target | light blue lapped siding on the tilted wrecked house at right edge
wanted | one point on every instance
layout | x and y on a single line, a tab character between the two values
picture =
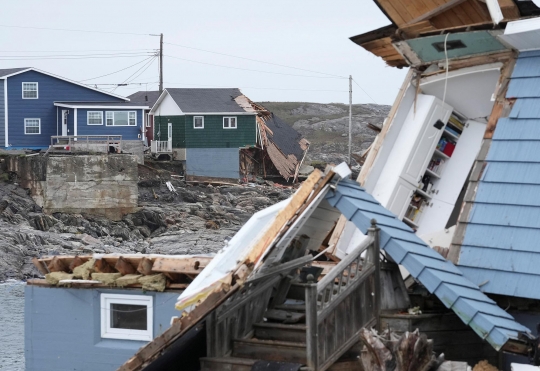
500	244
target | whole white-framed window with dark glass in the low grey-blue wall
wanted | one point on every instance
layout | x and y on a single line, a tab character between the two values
127	317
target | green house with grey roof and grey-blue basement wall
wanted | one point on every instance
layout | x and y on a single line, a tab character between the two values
206	128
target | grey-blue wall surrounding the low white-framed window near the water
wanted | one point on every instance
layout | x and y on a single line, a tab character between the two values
62	329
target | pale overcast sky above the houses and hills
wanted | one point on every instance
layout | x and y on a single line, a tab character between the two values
308	35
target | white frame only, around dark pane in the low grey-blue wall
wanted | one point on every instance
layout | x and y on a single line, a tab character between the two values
109	332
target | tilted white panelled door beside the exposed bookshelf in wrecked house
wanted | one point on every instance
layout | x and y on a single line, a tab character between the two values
426	142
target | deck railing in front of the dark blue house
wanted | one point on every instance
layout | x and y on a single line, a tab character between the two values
98	143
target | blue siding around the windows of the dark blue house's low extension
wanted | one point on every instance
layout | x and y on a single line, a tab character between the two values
127	132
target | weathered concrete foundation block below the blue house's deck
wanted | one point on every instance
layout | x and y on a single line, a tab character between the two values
103	185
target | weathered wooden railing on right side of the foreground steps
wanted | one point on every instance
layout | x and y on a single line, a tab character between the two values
340	304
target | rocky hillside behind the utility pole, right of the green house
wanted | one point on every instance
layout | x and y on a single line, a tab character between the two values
326	126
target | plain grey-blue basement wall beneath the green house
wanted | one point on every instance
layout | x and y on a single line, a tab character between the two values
213	162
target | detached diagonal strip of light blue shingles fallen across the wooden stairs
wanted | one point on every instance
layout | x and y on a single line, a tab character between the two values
438	275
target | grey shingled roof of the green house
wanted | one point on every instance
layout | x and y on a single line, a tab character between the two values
213	100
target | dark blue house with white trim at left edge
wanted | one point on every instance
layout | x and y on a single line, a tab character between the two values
35	105
